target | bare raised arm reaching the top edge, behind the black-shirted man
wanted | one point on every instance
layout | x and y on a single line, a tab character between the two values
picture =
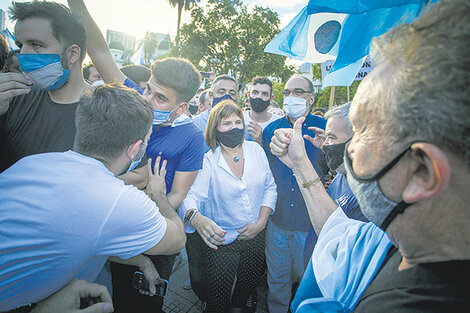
97	48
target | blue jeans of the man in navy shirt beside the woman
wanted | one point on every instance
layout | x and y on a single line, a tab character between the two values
285	260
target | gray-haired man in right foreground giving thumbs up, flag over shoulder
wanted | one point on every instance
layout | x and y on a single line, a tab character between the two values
408	164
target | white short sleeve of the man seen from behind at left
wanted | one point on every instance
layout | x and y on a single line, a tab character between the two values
134	226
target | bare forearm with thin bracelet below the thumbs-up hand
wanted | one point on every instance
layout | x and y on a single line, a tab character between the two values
318	201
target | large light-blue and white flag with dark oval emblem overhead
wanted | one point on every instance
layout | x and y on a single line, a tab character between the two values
341	30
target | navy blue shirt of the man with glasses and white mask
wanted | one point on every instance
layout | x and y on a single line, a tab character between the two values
291	212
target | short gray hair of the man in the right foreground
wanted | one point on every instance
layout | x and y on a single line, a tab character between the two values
426	96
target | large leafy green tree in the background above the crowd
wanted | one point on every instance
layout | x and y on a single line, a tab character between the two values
225	35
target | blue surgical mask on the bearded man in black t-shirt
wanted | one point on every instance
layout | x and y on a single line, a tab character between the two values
45	71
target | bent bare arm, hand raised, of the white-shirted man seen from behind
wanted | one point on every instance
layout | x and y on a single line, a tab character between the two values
175	238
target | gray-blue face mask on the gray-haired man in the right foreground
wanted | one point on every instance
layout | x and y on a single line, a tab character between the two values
373	203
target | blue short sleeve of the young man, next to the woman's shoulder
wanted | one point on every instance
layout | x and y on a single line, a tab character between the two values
193	155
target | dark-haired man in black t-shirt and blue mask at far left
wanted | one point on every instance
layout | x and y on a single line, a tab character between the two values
37	107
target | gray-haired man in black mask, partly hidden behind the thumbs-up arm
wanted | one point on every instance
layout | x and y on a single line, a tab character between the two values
332	141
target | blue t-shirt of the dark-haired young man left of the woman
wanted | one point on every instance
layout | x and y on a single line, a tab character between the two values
182	146
